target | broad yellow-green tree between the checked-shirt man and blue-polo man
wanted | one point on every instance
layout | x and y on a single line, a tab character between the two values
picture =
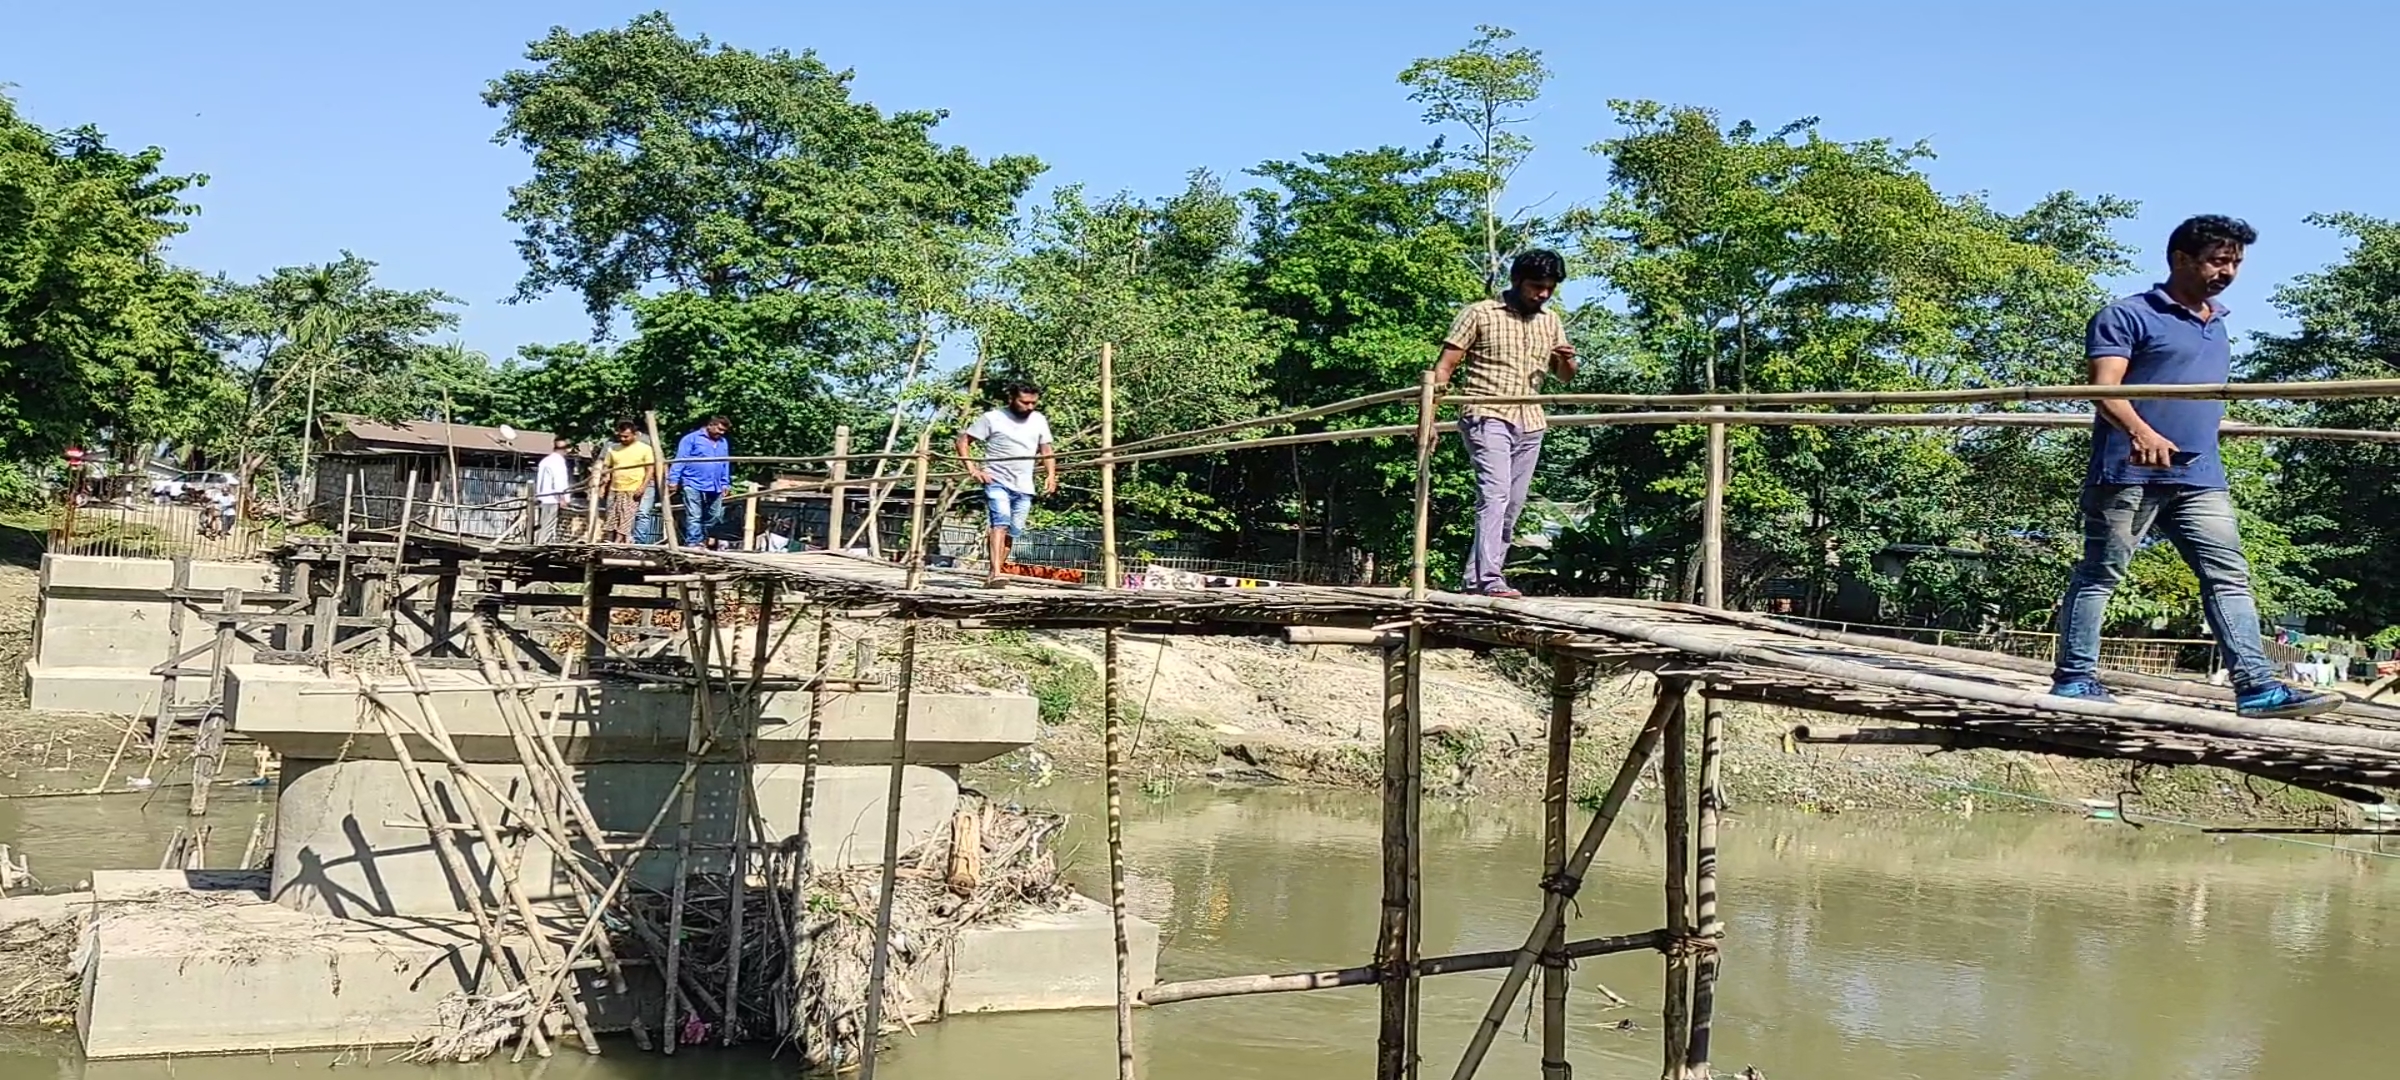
1784	263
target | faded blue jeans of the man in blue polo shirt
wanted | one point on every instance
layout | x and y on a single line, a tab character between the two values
2200	522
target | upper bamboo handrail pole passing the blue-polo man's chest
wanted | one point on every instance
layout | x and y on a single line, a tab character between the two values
1969	397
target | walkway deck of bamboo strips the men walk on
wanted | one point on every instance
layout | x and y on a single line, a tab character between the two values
1981	700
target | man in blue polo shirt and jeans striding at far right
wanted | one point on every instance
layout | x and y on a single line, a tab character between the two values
2156	464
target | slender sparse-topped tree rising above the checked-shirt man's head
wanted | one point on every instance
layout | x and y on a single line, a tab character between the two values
1484	90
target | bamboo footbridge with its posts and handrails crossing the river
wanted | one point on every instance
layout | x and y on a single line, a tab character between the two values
1700	656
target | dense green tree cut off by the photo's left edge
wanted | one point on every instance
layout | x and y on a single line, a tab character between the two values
100	335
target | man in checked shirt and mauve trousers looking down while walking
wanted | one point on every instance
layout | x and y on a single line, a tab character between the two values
1508	347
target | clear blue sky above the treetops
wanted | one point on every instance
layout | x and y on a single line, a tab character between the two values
359	126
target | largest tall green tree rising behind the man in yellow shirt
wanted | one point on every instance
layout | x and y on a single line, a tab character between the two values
786	253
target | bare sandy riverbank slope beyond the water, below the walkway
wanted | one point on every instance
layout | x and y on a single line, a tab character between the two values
1266	712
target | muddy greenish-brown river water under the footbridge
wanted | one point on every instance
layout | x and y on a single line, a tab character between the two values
1991	947
